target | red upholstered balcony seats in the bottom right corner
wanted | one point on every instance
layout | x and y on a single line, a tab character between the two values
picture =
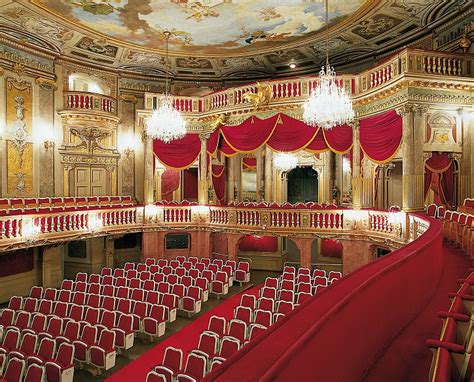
452	351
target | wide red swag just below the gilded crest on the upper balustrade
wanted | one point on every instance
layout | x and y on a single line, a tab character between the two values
252	134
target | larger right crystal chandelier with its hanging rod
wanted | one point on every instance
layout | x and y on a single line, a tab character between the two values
328	105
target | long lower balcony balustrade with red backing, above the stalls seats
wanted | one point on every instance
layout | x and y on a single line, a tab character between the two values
38	228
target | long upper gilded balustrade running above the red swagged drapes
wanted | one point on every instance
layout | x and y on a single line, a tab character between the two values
295	90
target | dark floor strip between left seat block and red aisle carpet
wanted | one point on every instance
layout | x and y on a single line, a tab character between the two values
142	345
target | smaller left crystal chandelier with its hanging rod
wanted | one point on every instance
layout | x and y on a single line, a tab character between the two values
166	123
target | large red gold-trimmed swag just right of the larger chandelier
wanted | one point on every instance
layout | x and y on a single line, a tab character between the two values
381	136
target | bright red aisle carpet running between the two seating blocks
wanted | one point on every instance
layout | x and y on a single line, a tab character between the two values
186	339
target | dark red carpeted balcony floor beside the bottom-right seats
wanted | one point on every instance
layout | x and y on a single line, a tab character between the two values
407	358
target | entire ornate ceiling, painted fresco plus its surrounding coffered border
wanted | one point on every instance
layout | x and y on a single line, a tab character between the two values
224	40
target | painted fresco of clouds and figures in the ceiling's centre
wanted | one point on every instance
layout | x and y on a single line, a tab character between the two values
205	26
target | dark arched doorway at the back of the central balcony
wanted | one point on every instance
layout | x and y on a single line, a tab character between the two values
303	185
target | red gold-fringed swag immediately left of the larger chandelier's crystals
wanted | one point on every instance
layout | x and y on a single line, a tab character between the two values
290	134
